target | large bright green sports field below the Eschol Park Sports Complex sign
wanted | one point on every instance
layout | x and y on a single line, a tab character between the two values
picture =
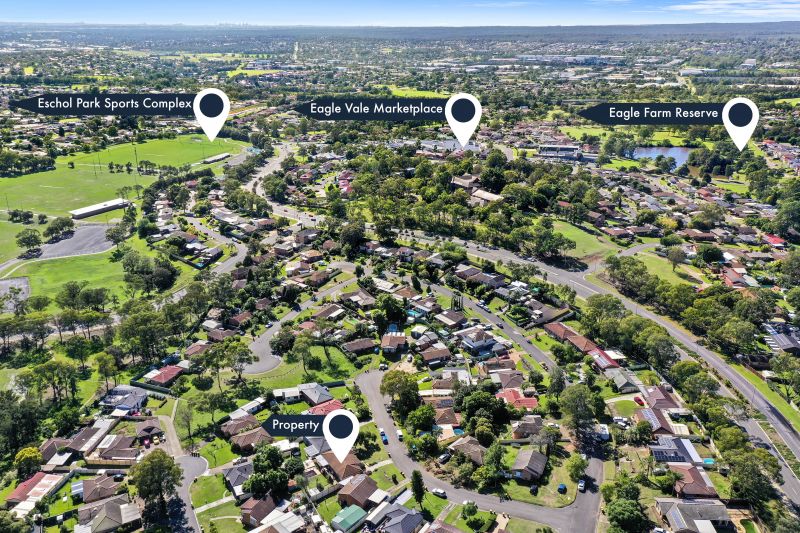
58	191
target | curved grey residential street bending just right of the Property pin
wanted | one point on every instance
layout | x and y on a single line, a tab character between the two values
581	515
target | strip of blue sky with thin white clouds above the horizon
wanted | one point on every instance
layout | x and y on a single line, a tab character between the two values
401	12
